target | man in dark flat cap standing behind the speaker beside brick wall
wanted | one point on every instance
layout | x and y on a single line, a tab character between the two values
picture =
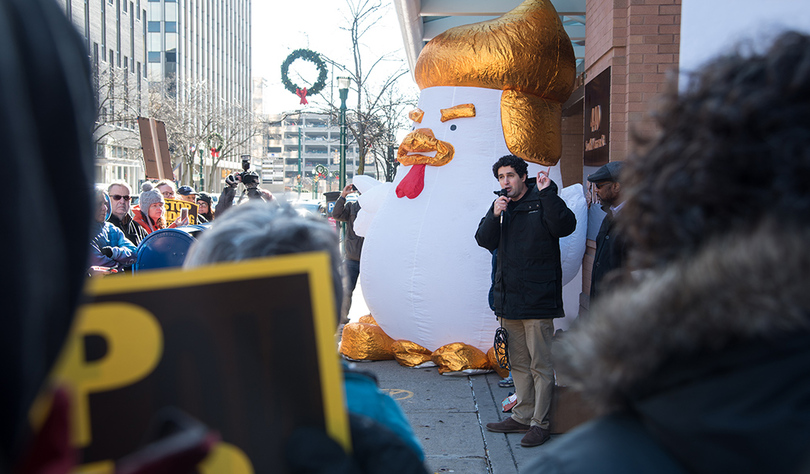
611	249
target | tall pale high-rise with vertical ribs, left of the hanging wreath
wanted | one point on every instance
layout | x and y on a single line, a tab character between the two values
199	54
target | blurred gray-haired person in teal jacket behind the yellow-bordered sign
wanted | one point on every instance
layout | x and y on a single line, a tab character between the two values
382	438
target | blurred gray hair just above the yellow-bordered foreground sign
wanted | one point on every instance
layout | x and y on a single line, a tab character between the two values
260	229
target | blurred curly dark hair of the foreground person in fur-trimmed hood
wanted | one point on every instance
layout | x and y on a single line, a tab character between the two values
733	153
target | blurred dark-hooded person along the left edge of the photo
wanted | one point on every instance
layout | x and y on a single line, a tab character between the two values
47	114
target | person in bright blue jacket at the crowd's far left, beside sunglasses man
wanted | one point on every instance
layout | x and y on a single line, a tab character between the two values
109	247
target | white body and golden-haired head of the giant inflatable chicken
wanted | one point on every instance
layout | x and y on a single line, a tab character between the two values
487	90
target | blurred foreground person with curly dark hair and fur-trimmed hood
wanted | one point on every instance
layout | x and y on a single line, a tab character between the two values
702	364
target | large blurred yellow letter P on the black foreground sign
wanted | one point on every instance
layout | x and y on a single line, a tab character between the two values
134	348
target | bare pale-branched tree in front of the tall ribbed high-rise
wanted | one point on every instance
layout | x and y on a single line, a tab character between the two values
197	121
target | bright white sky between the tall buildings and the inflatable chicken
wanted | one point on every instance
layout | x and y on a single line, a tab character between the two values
279	28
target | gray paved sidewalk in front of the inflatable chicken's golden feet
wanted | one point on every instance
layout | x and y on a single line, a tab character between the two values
449	415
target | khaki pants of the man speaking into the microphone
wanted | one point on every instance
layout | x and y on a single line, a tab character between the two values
529	343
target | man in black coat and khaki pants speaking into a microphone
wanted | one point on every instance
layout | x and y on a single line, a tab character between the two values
525	226
